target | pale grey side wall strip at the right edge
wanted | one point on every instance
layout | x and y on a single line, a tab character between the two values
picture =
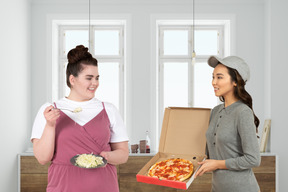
278	65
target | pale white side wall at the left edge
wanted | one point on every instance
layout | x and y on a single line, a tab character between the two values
15	88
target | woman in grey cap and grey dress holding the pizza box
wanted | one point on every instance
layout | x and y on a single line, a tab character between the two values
232	144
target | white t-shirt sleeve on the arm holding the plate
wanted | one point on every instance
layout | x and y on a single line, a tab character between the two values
117	127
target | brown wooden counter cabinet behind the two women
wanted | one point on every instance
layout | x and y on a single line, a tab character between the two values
33	176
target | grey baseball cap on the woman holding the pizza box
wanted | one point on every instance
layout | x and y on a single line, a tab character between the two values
233	62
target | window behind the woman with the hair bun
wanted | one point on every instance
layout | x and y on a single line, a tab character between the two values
107	46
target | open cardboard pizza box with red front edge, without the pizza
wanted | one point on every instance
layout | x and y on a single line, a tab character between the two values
182	136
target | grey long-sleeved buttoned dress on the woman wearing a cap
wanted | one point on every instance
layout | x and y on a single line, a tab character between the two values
231	136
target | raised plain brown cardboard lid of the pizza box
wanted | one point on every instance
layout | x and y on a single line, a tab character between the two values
183	130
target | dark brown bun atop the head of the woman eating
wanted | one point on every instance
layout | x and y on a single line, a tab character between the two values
77	54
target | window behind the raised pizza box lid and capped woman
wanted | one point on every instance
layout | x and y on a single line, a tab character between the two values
180	82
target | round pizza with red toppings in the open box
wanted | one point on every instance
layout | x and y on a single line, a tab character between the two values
172	169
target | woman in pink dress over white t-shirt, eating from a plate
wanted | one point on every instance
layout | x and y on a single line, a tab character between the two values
59	134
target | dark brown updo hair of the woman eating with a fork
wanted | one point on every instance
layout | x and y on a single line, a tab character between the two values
78	57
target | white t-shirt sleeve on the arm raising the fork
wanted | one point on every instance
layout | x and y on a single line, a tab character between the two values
39	123
